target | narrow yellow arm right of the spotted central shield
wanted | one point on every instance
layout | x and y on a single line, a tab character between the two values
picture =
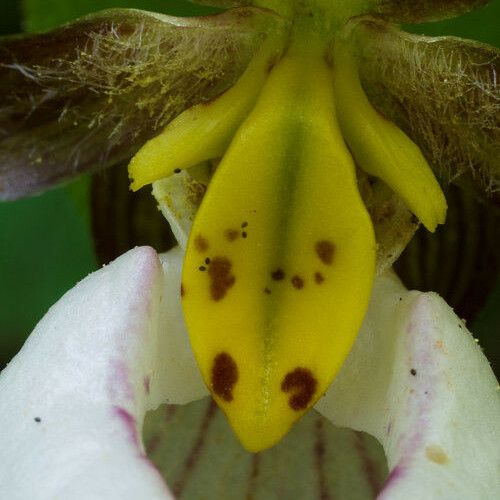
380	147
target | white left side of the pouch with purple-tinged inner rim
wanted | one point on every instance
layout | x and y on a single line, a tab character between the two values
73	401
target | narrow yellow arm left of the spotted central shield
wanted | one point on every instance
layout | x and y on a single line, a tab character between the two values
204	131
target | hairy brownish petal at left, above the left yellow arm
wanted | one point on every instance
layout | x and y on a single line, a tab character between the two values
88	94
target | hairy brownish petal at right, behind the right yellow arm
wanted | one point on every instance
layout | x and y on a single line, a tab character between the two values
442	92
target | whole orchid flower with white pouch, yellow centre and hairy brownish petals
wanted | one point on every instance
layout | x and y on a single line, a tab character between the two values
290	147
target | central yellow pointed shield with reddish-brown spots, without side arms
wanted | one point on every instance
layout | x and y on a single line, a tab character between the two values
280	262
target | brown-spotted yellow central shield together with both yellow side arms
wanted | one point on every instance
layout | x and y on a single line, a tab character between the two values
280	261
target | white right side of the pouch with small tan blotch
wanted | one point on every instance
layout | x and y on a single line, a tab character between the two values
418	382
